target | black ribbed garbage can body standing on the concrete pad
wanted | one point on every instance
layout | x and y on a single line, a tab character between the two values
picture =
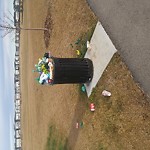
72	70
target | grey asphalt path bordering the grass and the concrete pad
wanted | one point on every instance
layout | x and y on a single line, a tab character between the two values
127	22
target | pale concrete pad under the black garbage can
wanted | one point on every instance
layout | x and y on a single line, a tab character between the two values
101	53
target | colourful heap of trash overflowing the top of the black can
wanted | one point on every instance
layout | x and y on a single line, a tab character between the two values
45	68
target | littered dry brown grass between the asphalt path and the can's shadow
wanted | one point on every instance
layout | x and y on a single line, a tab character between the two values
121	121
